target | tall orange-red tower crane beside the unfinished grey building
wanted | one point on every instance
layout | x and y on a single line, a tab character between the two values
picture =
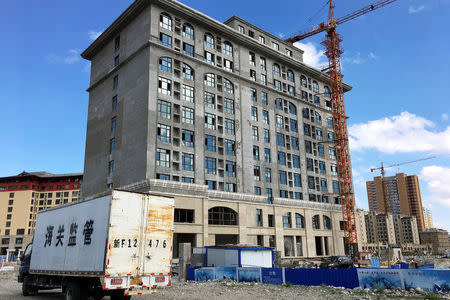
333	52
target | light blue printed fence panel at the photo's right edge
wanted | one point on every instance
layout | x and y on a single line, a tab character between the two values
428	280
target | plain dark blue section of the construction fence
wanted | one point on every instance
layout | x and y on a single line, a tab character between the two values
335	277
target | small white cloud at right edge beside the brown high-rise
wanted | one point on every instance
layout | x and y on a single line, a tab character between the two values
437	179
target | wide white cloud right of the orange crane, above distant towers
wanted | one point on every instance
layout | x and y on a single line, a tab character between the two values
402	133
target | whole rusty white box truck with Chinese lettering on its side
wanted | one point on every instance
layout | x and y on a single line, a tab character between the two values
116	245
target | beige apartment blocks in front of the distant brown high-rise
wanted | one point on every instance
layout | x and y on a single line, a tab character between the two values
379	231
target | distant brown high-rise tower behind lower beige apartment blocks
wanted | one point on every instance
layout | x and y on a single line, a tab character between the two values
401	195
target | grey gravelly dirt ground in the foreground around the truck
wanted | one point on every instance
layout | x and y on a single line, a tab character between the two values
11	289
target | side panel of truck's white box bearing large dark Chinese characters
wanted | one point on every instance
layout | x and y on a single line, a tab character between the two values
66	240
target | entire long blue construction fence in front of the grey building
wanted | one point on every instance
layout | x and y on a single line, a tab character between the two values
429	280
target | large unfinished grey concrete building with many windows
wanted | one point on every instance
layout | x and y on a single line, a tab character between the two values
177	96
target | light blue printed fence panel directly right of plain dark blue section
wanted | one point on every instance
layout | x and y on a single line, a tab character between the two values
374	278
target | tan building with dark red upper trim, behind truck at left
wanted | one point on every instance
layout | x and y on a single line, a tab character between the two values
25	194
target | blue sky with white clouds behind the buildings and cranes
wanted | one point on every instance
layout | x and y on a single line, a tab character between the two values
396	59
